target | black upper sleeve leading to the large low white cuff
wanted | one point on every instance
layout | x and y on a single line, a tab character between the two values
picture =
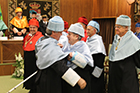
60	67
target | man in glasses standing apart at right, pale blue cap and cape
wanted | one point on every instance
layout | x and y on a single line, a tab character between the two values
124	57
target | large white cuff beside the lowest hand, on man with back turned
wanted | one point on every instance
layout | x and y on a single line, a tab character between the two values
71	77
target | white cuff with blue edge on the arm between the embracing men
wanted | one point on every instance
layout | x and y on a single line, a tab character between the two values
78	59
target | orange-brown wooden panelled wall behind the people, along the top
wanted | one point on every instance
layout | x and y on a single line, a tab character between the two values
70	10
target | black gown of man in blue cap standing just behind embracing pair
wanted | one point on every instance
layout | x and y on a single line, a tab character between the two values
97	84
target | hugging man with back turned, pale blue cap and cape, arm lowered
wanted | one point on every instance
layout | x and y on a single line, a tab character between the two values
51	61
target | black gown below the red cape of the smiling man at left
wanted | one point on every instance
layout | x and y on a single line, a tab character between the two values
29	68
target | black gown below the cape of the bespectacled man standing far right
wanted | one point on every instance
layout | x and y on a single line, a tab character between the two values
123	76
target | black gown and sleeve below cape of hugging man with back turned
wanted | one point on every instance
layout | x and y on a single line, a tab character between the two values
49	80
